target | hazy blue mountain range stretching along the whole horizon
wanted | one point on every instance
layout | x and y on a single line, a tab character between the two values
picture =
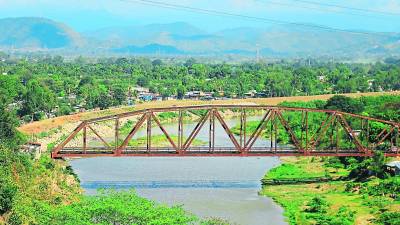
31	34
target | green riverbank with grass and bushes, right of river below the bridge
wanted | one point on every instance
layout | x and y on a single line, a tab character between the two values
333	202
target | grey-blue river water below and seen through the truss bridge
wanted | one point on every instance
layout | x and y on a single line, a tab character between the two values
224	187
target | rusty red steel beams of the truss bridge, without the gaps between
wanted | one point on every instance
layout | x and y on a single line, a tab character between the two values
274	113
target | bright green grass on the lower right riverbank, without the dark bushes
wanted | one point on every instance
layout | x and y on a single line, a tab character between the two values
294	198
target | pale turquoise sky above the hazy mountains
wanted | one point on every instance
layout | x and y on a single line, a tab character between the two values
87	15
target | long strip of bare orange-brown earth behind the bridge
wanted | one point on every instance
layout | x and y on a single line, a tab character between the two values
48	124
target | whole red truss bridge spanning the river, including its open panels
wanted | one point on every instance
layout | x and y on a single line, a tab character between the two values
286	131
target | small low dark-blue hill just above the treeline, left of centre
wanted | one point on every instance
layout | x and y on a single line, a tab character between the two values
152	49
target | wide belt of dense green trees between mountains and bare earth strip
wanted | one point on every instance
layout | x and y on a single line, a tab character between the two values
39	88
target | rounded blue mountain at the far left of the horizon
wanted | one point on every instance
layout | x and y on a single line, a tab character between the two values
36	33
